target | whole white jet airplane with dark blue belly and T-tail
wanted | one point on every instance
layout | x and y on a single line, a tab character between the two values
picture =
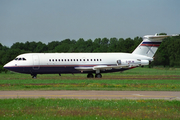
89	63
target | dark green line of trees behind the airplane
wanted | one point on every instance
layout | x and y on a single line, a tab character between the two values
168	53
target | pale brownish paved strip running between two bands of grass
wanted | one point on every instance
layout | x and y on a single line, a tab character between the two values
168	95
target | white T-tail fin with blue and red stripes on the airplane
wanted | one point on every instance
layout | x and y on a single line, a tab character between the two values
150	44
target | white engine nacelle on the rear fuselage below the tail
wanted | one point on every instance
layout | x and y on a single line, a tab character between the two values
132	62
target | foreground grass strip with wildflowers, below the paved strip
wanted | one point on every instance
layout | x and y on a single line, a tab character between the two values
89	109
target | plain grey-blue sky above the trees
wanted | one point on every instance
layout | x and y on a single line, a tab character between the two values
56	20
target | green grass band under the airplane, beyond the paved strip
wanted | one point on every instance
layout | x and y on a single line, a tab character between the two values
156	79
